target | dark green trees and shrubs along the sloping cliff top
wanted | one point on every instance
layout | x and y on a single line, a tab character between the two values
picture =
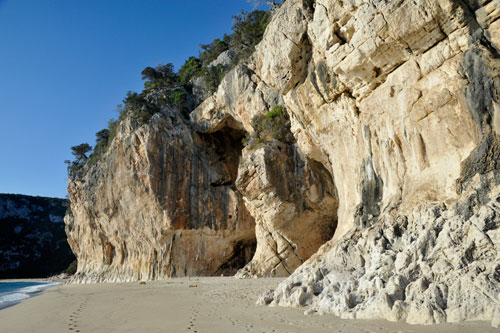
163	87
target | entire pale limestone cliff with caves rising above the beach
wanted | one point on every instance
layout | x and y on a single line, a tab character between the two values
393	156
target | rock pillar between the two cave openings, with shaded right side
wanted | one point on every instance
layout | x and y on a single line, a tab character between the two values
294	203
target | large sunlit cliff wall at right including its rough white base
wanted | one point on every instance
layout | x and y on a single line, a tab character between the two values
399	101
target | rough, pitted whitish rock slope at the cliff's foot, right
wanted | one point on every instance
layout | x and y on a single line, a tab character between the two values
434	264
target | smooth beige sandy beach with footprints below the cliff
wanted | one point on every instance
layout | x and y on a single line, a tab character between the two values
193	305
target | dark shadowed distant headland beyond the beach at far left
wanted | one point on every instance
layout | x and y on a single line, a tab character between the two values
32	239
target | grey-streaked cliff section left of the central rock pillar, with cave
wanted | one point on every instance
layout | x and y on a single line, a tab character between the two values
161	203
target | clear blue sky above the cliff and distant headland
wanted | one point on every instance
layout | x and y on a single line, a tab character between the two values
66	64
